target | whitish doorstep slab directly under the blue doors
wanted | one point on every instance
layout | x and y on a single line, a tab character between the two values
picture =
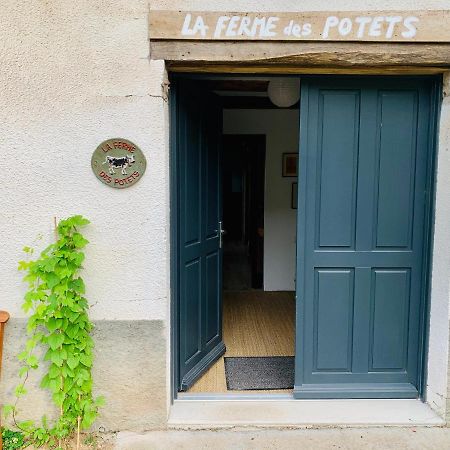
203	412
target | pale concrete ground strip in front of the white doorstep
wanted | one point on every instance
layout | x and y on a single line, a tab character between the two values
420	438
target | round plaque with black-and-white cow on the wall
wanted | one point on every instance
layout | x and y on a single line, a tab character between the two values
118	163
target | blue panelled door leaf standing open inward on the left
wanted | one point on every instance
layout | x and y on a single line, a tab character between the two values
199	232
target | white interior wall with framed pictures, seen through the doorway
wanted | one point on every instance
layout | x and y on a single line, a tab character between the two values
281	129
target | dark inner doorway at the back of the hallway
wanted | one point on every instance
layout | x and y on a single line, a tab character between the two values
243	211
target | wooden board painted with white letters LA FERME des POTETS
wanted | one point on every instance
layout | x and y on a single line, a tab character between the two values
378	26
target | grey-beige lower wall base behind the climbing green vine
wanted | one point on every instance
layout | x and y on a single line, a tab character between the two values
129	371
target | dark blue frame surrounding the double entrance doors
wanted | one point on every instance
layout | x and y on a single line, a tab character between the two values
433	132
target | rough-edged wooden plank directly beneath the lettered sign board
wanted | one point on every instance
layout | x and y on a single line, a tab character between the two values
302	53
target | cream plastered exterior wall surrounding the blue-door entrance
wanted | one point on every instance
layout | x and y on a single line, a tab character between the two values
73	75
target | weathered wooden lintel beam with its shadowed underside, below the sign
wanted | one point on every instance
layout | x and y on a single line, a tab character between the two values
310	57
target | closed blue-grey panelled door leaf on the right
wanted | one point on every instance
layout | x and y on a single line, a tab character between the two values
363	200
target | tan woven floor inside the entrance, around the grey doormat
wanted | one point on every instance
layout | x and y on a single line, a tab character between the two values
255	323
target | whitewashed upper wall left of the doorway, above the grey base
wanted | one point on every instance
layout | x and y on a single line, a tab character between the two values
72	77
